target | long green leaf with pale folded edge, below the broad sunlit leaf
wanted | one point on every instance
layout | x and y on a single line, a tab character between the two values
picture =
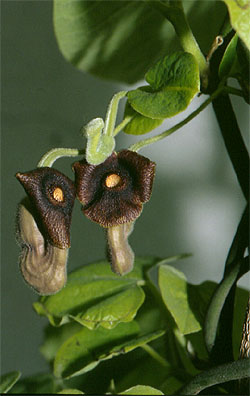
86	349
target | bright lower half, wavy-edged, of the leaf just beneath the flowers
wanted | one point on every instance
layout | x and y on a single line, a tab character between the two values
121	307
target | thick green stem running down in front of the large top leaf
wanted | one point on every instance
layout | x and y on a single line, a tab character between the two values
174	12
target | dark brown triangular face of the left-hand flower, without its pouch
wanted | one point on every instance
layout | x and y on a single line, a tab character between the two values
52	194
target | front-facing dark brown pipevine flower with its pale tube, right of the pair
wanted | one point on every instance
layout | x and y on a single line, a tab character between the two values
112	194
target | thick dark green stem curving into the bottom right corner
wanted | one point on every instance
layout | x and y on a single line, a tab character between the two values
217	375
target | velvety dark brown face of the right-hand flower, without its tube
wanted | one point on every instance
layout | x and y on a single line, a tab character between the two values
113	192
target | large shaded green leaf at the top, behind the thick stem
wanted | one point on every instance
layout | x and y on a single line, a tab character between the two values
120	40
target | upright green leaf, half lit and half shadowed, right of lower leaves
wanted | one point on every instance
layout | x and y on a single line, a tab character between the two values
187	303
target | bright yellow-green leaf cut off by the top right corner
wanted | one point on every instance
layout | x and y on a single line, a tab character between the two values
239	11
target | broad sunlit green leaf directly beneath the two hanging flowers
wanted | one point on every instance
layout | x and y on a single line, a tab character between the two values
93	292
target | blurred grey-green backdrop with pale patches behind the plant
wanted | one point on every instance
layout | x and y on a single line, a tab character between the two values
196	202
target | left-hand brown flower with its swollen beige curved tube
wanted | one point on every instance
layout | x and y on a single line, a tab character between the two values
43	223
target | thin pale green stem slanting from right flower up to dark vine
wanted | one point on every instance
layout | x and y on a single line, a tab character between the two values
137	146
